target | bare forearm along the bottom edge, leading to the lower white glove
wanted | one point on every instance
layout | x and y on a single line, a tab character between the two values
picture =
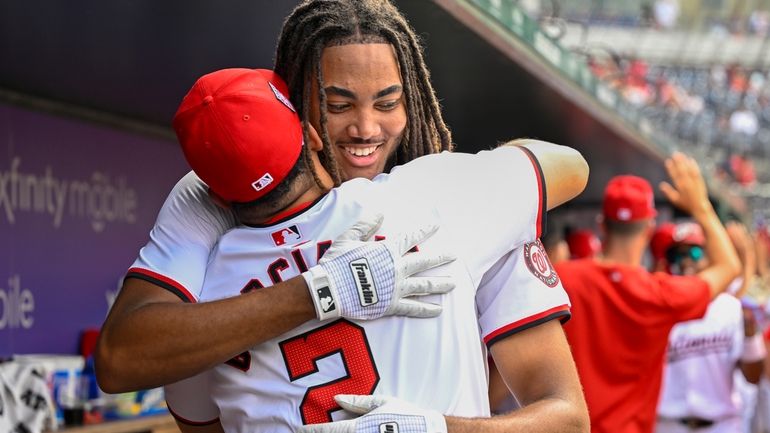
545	416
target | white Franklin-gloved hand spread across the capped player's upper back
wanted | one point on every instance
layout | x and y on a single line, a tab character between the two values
361	279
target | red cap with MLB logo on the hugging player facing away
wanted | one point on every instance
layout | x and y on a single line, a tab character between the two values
239	132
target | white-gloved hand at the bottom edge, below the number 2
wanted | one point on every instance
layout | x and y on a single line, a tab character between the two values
381	414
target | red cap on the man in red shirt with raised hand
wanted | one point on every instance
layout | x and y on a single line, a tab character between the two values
628	198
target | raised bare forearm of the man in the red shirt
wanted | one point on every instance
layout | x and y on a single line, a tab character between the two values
724	264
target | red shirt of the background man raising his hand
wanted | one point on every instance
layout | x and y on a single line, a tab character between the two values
621	318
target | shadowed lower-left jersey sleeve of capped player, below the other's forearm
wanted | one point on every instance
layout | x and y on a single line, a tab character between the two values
190	400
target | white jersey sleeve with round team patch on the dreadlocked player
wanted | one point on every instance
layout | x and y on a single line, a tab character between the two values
520	291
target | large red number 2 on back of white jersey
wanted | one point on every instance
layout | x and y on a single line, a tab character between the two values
349	340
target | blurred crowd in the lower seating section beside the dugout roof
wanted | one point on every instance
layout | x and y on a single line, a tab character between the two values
722	110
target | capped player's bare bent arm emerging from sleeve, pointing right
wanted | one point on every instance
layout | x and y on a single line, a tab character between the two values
564	169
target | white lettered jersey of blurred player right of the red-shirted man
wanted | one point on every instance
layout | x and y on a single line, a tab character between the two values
702	357
